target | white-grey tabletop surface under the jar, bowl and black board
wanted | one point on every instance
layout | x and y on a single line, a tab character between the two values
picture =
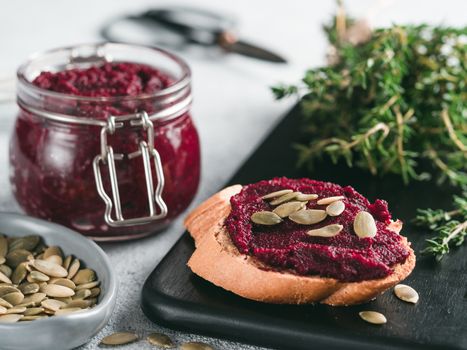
233	106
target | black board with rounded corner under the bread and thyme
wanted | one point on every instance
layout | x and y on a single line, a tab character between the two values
174	297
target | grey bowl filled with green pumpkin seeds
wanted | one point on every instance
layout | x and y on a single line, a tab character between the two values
57	288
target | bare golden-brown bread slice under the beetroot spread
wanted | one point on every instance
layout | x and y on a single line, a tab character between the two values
217	260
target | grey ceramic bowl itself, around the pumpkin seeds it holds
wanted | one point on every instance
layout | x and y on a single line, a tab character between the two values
66	331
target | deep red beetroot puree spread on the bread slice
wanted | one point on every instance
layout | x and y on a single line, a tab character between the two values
345	257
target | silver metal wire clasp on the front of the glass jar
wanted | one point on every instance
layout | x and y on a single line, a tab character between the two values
146	151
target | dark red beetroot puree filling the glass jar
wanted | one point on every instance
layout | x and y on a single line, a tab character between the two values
52	162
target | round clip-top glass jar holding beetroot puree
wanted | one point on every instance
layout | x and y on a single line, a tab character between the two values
112	168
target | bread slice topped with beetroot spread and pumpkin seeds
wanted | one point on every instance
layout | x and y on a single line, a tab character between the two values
298	241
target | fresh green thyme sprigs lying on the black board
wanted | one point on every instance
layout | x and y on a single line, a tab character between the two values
391	101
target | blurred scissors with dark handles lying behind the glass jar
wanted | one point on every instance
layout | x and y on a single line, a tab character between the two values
196	26
